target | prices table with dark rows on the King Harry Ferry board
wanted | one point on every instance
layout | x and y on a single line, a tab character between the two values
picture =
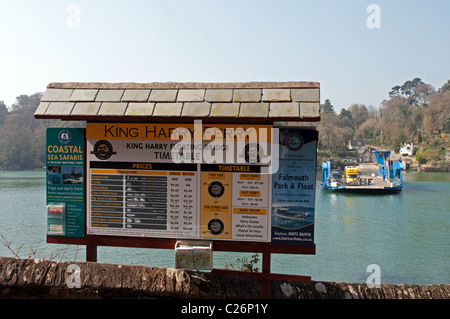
138	202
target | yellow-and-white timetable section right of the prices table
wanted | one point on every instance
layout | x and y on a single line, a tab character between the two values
234	202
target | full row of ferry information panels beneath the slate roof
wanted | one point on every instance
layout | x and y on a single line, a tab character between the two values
142	181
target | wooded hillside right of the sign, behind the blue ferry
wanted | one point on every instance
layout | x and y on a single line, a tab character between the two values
415	113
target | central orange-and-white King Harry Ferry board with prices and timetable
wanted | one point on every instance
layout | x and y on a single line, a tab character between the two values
138	185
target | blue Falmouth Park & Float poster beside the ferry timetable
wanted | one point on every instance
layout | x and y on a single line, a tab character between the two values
294	187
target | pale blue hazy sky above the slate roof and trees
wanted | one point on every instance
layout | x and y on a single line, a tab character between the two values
357	50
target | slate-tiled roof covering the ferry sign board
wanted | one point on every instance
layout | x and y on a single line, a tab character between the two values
182	102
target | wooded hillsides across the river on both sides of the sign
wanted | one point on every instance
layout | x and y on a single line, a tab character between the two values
414	113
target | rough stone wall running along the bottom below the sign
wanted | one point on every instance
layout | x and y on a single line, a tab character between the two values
30	278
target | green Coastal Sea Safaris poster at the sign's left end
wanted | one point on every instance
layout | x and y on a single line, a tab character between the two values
65	182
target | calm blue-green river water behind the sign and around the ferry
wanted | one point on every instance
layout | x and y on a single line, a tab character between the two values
407	235
